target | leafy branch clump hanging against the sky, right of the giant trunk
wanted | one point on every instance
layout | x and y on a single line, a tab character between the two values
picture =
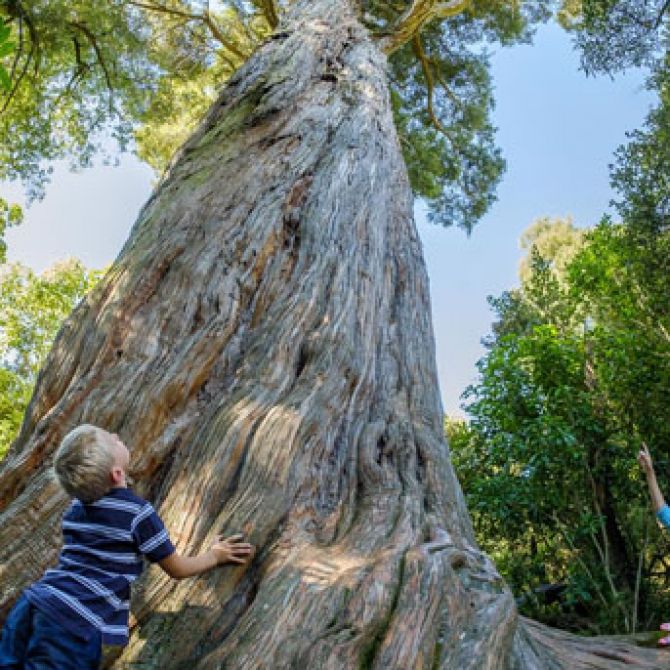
443	98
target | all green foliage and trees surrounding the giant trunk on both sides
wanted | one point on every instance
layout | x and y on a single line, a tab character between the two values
576	373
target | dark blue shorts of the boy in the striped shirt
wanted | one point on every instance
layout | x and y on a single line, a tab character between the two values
31	640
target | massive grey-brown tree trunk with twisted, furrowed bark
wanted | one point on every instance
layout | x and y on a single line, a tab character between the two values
264	345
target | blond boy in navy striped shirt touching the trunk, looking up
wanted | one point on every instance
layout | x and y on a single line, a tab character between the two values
62	620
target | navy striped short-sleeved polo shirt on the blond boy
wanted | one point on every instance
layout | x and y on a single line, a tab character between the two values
104	546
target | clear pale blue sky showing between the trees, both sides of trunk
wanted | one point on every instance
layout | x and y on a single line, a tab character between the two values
558	131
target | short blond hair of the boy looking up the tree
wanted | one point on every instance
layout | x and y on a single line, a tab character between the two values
83	463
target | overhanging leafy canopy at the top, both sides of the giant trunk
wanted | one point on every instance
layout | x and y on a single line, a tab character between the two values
143	72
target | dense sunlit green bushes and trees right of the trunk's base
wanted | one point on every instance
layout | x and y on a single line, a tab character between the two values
576	375
